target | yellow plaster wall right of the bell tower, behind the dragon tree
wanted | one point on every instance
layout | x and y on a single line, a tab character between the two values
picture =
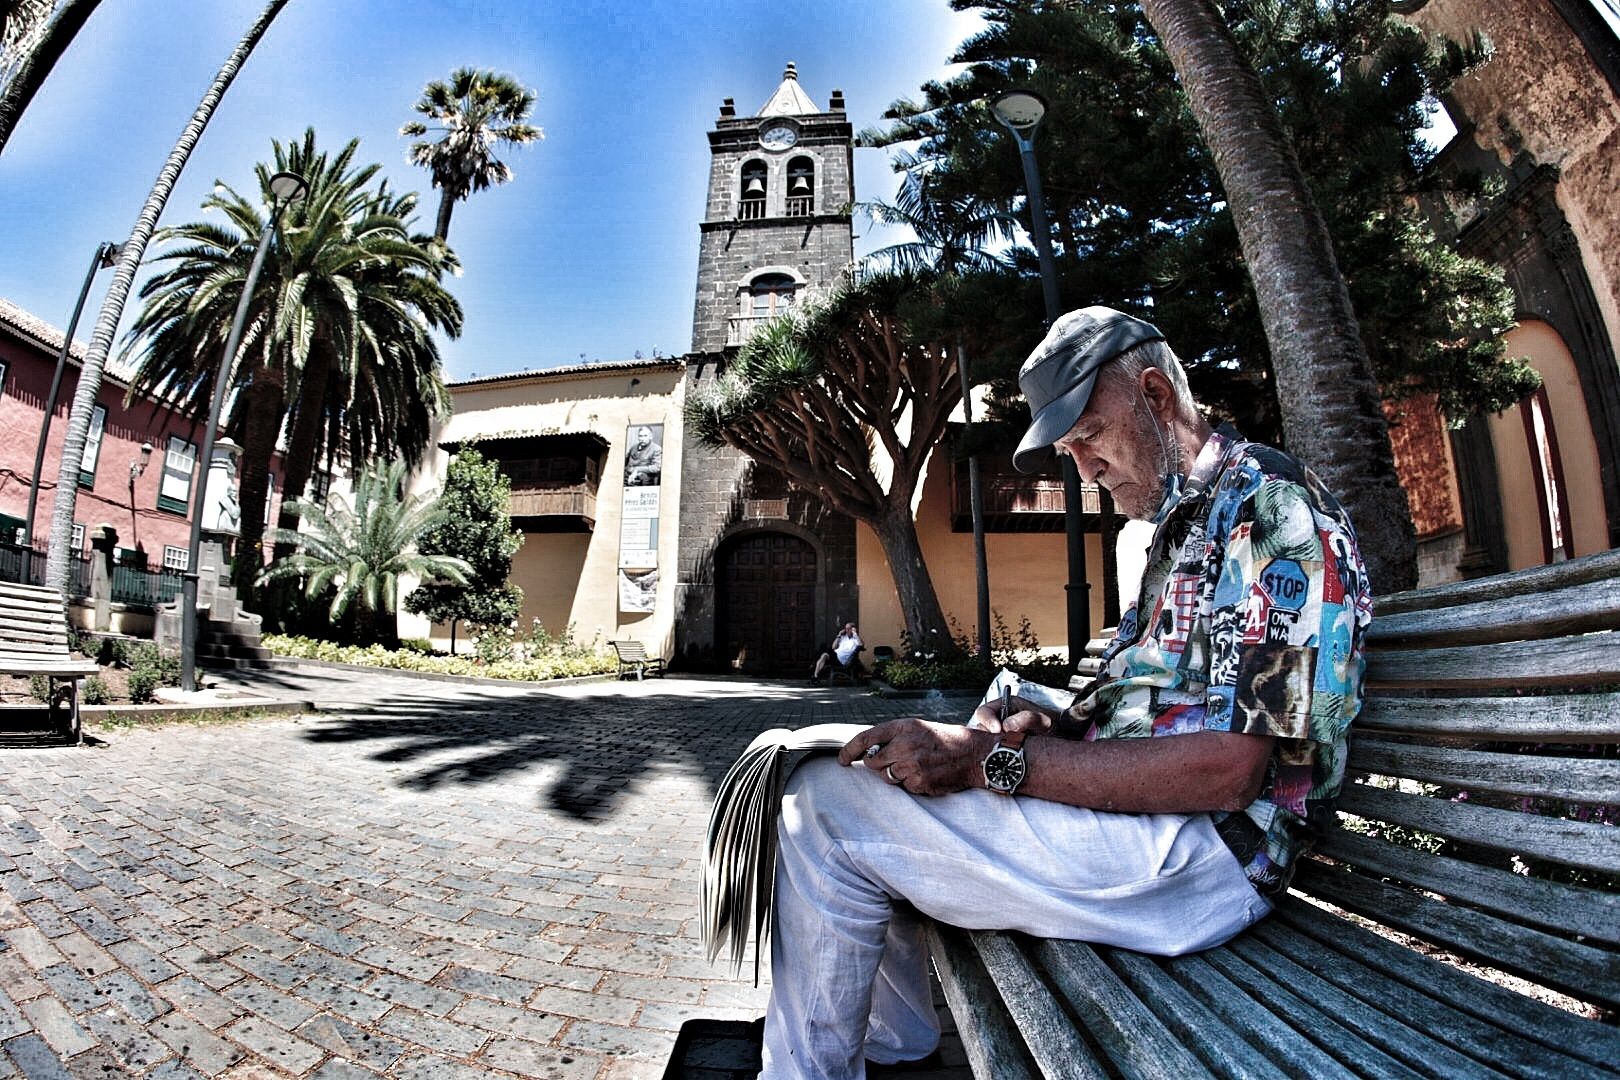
1028	572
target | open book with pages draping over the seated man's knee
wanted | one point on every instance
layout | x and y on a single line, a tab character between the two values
740	856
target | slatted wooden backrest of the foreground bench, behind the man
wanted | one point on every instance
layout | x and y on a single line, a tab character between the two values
1483	794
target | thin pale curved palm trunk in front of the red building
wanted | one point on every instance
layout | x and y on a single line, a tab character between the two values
119	291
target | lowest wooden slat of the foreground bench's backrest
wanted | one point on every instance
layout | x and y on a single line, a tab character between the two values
1582	971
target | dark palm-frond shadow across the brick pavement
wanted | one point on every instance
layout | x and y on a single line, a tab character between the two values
599	746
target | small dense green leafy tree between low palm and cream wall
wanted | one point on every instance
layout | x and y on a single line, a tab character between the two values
479	530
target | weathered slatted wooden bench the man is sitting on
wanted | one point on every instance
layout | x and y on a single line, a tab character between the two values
1488	750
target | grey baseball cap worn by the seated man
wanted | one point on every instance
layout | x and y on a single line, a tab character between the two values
1059	376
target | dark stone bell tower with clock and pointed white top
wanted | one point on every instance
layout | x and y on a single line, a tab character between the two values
765	571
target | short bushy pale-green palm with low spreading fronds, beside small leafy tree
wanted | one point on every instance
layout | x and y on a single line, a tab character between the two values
367	550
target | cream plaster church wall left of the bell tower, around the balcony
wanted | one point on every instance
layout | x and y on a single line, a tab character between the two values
574	577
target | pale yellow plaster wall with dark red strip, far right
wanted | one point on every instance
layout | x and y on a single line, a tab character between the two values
1577	451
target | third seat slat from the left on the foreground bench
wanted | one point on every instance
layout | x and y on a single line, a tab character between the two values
1136	1042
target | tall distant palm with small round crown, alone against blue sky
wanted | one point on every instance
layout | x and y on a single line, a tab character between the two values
475	113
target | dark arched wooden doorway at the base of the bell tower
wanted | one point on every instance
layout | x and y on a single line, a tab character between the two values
767	605
